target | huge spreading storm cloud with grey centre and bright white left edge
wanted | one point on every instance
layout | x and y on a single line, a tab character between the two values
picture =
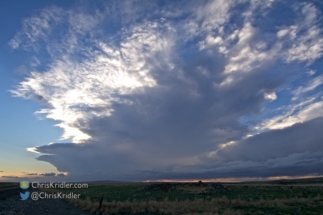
159	92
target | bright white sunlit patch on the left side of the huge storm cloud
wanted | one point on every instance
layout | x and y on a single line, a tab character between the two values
70	86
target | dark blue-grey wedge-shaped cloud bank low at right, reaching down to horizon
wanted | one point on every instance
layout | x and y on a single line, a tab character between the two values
292	151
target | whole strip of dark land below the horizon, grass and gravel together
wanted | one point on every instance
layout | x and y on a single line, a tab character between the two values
285	197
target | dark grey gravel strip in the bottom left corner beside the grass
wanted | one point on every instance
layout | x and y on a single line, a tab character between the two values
11	204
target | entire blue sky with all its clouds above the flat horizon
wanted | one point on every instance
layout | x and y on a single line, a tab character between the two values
161	90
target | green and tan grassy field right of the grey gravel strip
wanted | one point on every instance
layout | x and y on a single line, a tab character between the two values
252	198
